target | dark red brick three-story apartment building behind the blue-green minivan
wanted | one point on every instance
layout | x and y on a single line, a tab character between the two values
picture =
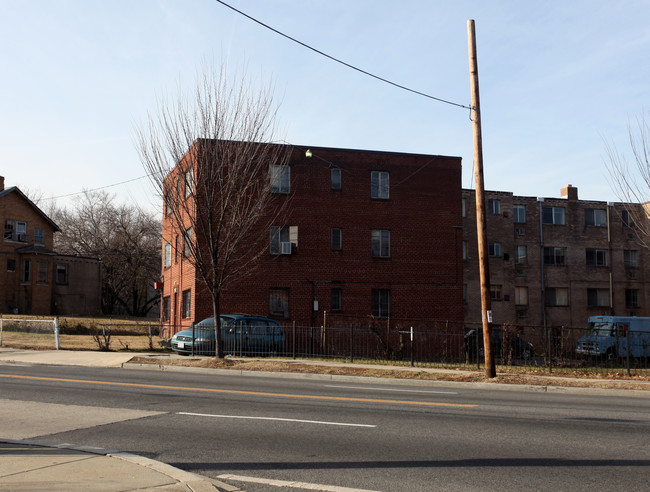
367	234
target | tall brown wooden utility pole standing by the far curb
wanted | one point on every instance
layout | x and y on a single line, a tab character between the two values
481	227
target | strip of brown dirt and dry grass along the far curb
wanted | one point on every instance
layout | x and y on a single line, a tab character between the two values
521	377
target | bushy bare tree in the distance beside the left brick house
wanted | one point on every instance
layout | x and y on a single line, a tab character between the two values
125	238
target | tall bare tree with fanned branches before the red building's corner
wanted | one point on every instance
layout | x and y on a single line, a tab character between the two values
212	160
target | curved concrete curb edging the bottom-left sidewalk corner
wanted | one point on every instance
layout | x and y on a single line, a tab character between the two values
195	482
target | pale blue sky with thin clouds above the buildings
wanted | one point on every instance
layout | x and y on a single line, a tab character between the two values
556	77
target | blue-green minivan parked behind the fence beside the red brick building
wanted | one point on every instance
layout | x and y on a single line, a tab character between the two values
241	334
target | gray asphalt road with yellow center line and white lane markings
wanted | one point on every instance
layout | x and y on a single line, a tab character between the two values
356	434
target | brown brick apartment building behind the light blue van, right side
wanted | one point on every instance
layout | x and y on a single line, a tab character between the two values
555	261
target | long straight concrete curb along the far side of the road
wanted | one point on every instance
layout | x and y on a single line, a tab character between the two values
414	382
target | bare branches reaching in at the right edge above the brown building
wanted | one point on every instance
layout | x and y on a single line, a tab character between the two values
631	182
